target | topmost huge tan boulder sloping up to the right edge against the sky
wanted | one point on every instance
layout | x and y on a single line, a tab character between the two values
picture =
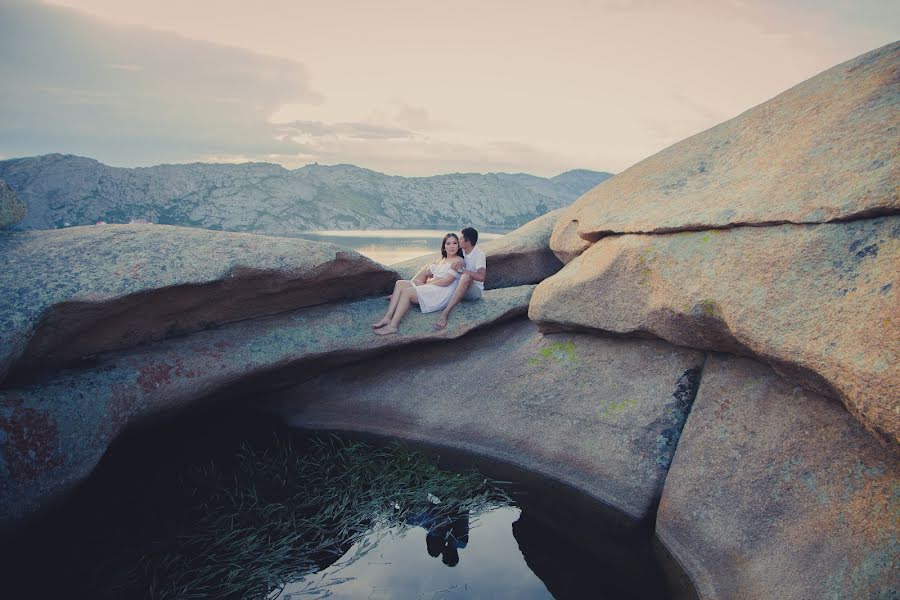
825	150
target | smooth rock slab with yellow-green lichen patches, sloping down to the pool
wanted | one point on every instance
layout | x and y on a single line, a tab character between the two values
601	414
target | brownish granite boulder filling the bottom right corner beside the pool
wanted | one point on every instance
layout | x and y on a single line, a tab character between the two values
776	492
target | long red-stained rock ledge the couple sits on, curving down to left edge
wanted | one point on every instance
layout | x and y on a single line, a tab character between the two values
53	433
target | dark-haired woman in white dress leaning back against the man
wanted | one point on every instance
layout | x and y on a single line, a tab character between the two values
430	289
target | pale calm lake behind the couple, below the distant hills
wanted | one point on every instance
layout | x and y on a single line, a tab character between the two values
390	246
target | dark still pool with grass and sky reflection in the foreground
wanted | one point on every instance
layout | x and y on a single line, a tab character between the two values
232	506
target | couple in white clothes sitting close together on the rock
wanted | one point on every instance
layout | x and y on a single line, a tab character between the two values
458	275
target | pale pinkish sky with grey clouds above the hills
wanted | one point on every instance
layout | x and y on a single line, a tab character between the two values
411	88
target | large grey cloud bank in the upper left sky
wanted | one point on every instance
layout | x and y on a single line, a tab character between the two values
135	96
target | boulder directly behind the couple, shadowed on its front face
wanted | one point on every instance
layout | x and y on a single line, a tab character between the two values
521	257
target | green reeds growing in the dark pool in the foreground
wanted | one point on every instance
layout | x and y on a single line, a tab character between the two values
278	513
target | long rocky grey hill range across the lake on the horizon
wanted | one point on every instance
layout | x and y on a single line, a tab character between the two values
63	190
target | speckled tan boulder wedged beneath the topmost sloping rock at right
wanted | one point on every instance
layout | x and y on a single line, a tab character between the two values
818	302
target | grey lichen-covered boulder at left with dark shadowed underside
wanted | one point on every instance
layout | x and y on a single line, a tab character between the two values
78	291
